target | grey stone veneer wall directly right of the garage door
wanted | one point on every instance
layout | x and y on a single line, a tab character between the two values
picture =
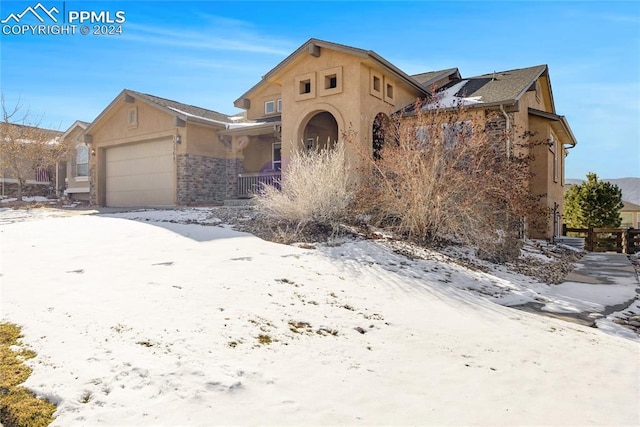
203	180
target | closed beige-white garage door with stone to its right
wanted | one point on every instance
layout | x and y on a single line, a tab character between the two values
140	174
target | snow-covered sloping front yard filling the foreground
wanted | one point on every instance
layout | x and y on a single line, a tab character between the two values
146	318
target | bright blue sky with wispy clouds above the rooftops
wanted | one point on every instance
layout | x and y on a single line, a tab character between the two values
208	53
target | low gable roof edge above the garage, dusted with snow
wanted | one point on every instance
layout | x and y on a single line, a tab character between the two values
184	112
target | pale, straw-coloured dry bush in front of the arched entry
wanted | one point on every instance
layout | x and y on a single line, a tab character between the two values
315	193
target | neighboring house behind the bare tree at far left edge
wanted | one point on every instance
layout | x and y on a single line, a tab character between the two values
38	180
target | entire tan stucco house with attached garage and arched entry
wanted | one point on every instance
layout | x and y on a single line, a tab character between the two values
150	151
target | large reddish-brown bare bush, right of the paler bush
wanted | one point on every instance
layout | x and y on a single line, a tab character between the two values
447	171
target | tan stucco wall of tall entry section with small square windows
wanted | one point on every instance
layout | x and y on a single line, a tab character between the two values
350	103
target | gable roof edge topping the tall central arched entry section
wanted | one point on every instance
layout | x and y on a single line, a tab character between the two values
313	46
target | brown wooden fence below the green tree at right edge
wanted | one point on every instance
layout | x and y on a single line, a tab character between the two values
621	240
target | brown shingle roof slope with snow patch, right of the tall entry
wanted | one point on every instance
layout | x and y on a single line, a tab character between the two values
499	86
